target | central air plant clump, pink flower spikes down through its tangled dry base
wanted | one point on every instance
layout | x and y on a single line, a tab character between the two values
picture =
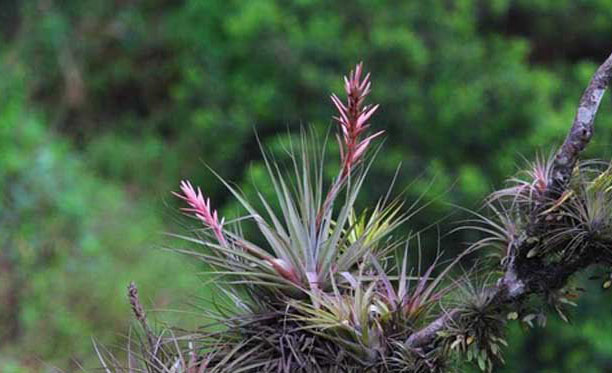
318	277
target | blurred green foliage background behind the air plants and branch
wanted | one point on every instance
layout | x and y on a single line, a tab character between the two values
106	105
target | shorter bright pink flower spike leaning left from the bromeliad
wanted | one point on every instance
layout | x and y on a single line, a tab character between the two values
202	210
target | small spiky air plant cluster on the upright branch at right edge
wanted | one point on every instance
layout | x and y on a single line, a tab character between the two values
555	227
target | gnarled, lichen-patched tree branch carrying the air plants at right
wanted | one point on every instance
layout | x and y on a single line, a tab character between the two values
527	276
